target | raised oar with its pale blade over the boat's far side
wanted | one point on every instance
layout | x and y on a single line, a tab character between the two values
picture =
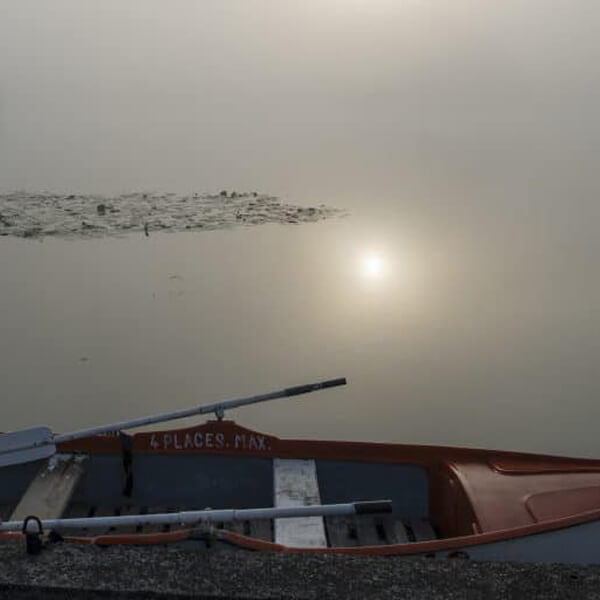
39	442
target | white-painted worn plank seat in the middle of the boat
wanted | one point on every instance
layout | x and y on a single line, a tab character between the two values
295	484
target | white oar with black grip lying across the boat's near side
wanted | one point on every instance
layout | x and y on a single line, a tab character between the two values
199	516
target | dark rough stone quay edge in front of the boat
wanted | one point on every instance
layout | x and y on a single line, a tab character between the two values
84	572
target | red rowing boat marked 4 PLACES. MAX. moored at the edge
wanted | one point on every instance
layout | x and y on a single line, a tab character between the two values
446	502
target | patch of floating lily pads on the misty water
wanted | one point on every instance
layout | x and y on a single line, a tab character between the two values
31	215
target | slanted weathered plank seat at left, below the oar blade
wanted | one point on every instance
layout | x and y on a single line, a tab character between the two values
49	493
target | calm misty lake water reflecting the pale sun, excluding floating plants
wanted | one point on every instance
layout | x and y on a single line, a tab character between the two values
460	295
